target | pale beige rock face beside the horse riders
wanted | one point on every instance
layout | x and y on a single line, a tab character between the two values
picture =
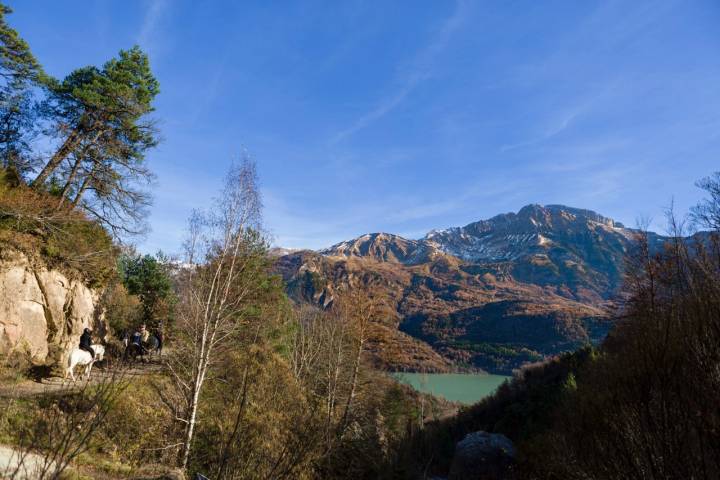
43	312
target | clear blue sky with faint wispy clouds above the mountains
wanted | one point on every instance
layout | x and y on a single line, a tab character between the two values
407	116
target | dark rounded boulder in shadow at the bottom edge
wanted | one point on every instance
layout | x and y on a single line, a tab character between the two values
483	455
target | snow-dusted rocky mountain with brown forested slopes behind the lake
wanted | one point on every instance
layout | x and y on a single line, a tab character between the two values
491	295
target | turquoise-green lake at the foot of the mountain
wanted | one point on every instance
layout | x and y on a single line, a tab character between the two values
459	387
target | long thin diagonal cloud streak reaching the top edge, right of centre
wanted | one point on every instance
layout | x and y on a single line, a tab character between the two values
420	69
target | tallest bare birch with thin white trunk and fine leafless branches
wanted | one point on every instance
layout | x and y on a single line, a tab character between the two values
223	249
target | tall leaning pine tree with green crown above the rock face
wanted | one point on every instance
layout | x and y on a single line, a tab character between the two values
101	117
